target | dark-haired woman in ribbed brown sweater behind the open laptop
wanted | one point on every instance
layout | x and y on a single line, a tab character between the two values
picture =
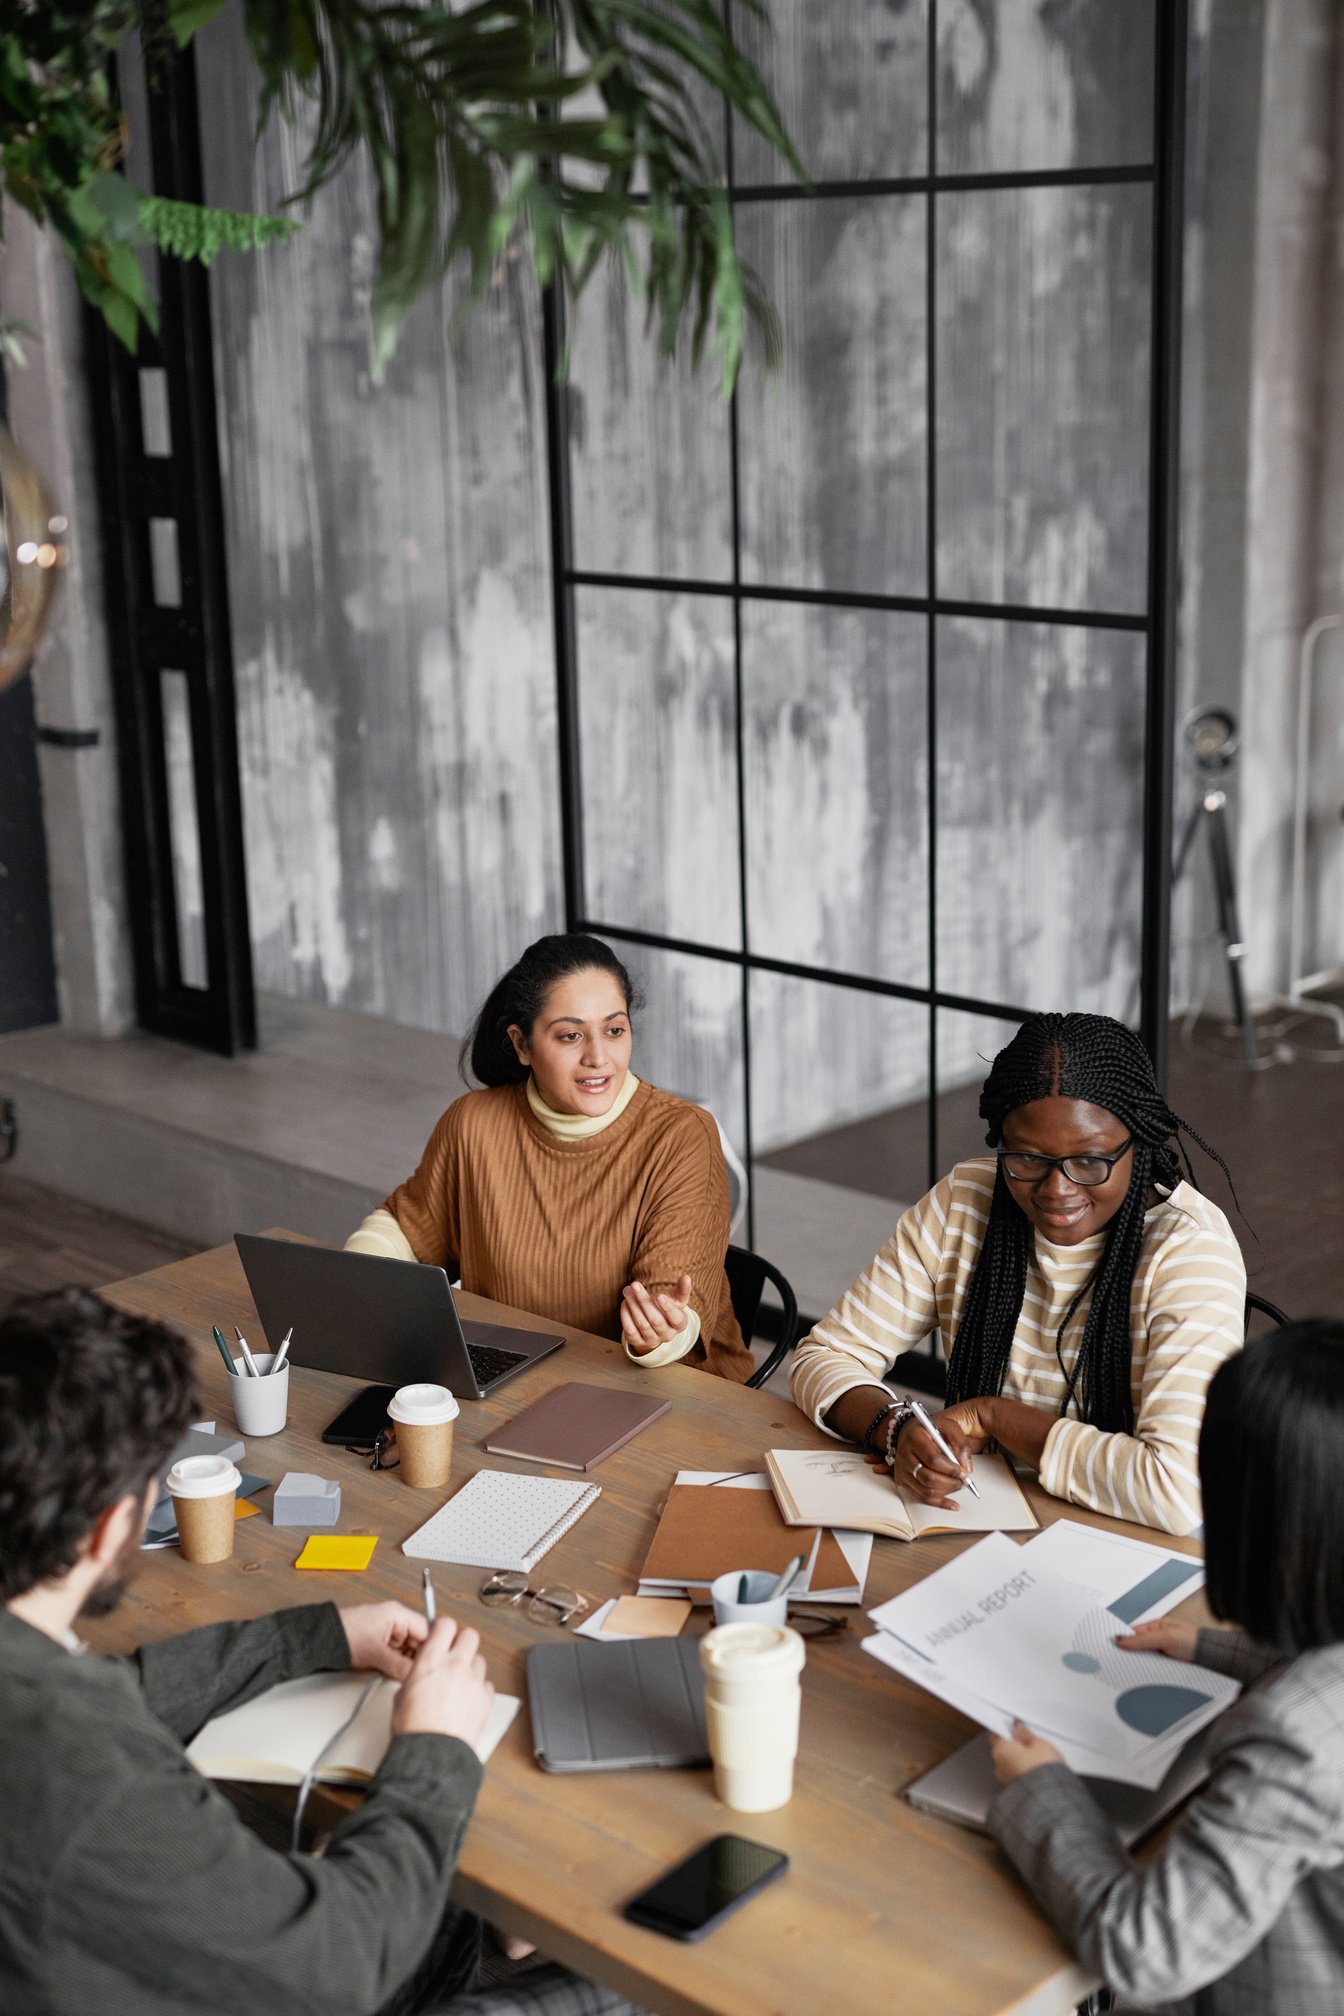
567	1186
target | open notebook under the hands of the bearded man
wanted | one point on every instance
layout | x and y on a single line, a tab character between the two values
277	1737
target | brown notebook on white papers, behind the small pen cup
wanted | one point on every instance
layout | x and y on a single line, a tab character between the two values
710	1529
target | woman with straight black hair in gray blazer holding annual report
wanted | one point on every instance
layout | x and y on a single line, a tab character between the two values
1242	1910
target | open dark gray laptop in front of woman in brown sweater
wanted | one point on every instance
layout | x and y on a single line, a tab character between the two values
388	1321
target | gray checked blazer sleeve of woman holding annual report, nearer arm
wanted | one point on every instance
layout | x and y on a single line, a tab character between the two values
1268	1817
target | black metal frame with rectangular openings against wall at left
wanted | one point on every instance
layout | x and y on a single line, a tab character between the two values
194	640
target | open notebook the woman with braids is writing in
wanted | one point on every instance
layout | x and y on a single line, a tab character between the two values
839	1489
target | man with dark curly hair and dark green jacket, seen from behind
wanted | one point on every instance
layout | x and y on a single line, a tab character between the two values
128	1884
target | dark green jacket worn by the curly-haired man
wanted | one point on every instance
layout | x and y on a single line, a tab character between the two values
130	1886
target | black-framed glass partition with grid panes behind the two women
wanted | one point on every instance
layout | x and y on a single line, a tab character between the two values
865	676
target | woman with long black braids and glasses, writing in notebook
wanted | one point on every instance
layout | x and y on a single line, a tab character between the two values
1081	1285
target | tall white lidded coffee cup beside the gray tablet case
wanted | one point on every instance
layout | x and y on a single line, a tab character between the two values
753	1698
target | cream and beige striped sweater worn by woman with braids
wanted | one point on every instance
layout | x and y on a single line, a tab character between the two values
1188	1313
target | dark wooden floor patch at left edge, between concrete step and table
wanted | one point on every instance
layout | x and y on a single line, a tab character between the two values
53	1243
